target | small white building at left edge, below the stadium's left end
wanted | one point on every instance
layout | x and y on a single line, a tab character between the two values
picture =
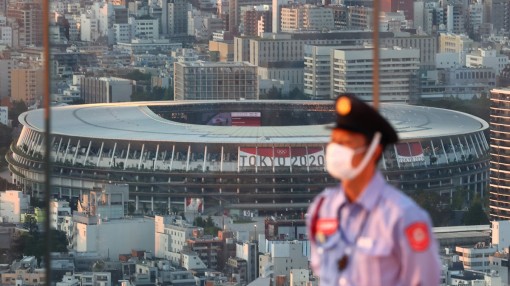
12	205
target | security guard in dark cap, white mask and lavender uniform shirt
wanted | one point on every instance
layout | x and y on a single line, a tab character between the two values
364	231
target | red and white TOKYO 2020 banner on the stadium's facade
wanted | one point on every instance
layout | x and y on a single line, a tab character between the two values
281	157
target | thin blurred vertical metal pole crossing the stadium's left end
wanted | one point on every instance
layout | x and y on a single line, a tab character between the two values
47	139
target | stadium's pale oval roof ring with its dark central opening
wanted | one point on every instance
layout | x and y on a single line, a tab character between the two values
138	120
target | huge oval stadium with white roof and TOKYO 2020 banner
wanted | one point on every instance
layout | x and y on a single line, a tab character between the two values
242	156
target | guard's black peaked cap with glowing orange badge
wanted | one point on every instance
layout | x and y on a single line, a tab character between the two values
356	115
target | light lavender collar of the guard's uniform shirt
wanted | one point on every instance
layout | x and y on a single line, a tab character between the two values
370	195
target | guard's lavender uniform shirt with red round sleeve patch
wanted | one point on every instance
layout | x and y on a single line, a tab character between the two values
388	236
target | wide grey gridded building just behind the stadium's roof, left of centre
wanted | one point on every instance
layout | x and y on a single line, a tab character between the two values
208	80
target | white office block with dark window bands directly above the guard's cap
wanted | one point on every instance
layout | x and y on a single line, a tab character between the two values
352	72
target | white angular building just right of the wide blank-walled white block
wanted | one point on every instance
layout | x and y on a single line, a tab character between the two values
171	234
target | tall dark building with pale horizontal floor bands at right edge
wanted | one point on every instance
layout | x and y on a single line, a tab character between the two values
499	200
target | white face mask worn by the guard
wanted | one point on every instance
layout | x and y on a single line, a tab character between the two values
339	159
